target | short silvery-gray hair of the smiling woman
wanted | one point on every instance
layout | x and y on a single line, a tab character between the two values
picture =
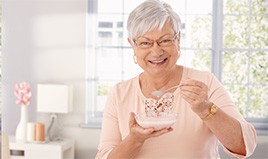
150	15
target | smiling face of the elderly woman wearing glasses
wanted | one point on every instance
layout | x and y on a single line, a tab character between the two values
158	50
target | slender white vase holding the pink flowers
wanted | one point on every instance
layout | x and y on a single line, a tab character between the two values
21	131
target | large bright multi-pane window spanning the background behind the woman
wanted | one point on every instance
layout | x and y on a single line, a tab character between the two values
217	35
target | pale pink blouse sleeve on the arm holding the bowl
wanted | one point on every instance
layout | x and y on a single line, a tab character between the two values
110	135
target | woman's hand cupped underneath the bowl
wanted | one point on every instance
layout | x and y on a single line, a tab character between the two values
140	134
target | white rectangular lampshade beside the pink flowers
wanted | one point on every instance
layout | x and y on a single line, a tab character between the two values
54	98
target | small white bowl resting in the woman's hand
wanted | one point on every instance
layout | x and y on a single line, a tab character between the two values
158	123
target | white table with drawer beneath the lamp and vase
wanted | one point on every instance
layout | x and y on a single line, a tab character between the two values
51	150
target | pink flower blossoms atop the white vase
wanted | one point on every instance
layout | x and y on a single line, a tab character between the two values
23	93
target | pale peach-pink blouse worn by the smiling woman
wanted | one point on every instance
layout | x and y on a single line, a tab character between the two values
190	137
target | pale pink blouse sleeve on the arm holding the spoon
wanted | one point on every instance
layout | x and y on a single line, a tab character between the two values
223	100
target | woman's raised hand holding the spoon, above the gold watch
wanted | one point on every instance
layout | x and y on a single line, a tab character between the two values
196	94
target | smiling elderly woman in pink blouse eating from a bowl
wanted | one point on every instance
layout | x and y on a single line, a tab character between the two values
206	112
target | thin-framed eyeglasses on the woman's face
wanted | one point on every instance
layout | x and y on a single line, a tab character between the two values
158	42
